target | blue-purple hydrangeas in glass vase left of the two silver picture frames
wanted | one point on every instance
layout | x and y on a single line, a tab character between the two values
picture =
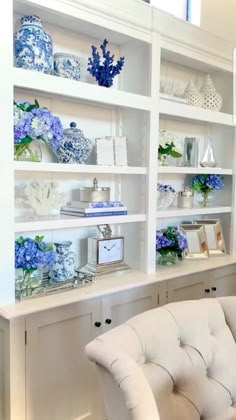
171	244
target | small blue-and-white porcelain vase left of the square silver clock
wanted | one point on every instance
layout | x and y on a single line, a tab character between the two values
64	267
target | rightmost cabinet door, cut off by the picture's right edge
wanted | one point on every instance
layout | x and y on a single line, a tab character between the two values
223	282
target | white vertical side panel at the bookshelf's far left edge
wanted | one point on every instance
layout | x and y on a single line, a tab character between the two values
7	284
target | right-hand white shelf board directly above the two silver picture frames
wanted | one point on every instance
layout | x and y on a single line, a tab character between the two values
176	212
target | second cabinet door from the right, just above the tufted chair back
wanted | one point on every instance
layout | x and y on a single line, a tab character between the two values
189	287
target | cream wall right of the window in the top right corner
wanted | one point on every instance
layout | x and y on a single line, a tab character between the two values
219	17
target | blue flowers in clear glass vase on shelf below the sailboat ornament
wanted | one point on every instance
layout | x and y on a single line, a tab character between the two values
205	184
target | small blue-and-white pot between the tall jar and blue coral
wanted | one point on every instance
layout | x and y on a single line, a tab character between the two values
67	65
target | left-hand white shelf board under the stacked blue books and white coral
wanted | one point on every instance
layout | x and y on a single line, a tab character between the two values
69	222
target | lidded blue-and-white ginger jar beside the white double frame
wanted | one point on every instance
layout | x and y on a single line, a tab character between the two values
75	148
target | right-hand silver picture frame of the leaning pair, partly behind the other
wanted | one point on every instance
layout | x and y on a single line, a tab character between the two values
215	237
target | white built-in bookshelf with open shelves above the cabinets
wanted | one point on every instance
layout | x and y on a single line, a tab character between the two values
131	108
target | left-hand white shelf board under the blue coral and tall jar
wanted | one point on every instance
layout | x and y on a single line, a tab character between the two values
52	85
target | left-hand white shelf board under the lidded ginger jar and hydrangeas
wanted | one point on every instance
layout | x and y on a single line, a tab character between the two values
77	168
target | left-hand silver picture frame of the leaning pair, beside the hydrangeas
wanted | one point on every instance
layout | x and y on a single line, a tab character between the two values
197	241
